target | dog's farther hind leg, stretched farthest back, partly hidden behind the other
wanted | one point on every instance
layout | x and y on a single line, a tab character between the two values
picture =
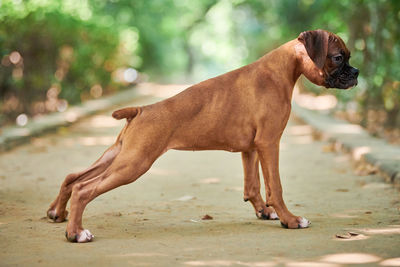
57	210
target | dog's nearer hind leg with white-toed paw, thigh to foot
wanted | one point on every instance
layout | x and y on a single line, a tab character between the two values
127	167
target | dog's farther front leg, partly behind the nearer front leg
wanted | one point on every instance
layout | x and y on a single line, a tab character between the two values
252	187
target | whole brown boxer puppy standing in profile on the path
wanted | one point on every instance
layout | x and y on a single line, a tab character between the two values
245	110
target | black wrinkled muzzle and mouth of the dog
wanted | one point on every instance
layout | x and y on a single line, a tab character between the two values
343	78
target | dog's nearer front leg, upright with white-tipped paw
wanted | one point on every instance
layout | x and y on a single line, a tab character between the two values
269	157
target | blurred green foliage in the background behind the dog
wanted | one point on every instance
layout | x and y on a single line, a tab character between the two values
69	49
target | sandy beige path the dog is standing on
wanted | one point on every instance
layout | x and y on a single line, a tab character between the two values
157	221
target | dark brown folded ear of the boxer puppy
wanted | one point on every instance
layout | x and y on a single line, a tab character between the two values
316	44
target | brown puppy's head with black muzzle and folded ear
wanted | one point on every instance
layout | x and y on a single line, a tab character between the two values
329	65
